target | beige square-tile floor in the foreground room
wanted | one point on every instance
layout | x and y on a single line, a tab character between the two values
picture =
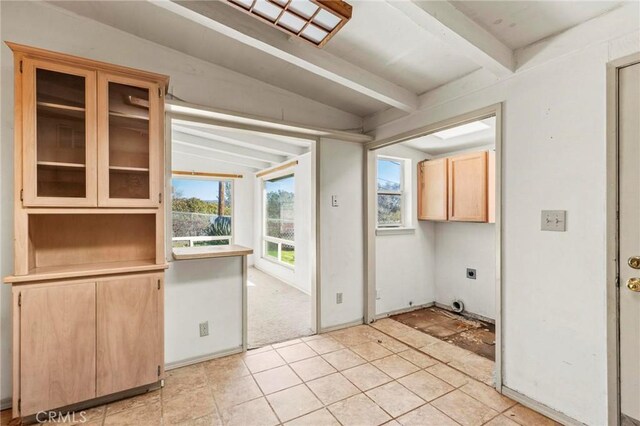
361	376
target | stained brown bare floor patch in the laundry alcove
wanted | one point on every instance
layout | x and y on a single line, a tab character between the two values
473	335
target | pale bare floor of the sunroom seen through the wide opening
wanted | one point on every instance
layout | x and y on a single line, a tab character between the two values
276	311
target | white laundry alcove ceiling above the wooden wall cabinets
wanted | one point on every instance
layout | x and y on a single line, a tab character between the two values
434	145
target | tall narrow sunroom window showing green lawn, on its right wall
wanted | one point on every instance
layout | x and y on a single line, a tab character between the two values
278	220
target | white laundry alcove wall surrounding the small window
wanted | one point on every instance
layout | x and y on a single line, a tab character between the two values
405	269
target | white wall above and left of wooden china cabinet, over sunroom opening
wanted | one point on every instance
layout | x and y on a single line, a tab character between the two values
43	25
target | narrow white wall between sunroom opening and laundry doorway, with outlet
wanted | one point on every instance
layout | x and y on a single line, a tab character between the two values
341	232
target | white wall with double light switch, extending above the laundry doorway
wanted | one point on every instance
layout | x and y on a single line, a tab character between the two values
554	299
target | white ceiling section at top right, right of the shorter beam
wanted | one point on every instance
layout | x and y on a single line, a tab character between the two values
521	23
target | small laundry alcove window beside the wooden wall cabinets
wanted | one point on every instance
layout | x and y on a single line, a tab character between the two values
391	192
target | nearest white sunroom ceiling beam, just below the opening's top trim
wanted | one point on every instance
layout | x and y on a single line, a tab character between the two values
248	140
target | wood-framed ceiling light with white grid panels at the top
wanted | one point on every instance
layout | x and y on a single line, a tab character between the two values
315	21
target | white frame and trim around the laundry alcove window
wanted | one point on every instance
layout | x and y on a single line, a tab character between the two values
406	189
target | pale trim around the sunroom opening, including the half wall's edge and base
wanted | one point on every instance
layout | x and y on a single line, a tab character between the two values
257	125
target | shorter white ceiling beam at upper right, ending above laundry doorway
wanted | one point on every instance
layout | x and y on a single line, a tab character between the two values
456	29
